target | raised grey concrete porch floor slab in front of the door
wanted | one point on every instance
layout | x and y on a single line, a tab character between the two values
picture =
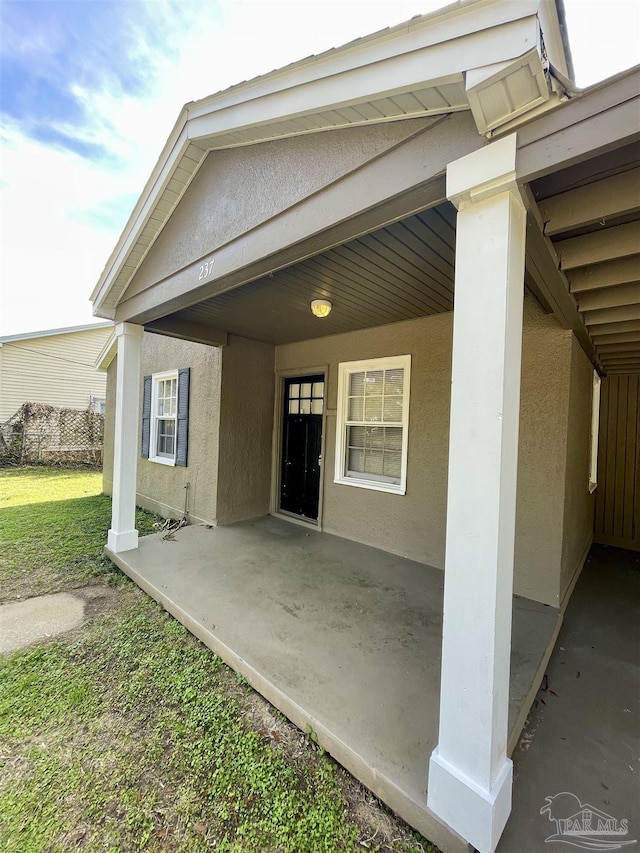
339	636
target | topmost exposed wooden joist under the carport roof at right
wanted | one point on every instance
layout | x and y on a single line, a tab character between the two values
596	202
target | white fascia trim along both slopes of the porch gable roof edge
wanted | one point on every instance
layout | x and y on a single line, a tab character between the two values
490	29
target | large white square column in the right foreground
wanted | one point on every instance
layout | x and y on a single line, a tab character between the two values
470	775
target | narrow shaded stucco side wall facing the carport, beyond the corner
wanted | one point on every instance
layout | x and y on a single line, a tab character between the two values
579	505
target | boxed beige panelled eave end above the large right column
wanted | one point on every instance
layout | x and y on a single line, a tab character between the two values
499	93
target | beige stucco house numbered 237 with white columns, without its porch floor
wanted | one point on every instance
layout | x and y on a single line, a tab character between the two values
448	161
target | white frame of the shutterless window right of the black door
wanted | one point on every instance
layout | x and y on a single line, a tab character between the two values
345	369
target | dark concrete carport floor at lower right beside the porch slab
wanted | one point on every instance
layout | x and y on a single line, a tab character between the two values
583	736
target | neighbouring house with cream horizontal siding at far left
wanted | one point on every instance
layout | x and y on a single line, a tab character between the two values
55	367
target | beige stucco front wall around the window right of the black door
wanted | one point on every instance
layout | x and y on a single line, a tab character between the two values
413	525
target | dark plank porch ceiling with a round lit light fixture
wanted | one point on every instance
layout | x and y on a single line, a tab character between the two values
396	273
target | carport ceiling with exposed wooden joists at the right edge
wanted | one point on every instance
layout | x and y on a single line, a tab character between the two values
591	214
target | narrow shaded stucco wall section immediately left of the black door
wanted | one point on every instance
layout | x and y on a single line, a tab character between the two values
246	430
